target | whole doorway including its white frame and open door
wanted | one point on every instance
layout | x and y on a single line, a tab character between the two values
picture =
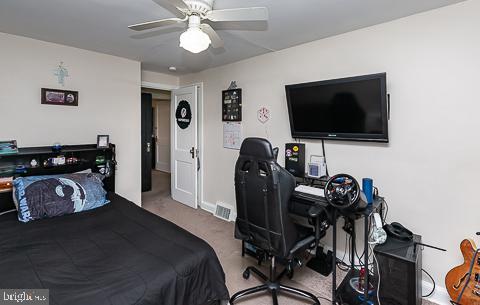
183	174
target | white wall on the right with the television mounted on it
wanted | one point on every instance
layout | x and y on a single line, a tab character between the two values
428	172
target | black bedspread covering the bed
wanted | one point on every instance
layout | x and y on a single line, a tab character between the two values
117	254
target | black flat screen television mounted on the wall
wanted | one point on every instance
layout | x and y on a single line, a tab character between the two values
353	108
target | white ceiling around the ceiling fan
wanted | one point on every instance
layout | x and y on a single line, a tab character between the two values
101	25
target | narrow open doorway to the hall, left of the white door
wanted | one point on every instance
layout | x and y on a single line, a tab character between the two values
156	144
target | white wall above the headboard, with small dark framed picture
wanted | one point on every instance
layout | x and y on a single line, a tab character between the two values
109	102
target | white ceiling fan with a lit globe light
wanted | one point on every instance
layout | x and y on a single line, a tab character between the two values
199	36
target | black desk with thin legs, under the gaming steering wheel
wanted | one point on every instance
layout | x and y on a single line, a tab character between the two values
299	205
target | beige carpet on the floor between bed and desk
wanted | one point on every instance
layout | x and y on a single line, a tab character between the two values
219	234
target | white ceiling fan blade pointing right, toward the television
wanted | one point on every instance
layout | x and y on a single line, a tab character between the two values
238	14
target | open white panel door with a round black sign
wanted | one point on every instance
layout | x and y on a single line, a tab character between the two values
184	145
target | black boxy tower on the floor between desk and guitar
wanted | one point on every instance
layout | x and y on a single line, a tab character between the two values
400	266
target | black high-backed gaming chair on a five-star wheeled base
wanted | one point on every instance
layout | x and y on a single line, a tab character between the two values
263	189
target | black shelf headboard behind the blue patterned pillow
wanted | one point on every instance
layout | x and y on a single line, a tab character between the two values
87	157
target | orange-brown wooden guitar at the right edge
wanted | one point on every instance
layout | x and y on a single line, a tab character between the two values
463	282
